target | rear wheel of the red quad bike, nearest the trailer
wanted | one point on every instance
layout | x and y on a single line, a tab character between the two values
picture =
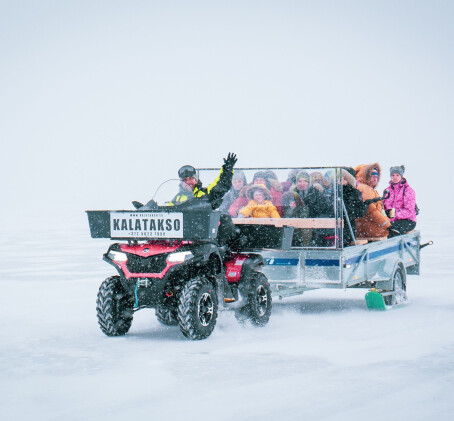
259	302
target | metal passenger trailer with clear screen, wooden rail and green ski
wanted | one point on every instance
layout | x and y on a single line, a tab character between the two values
379	265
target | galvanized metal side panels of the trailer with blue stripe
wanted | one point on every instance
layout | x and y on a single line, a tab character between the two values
292	272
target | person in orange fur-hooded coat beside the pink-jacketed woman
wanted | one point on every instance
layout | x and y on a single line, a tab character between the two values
375	223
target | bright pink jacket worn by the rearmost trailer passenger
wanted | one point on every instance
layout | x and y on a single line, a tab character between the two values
402	198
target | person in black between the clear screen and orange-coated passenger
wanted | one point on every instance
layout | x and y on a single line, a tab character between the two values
353	201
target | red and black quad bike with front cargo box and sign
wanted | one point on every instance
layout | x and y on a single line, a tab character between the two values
173	262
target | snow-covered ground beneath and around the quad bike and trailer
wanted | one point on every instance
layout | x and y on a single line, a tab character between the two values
323	356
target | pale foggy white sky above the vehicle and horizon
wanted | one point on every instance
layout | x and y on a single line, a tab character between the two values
102	100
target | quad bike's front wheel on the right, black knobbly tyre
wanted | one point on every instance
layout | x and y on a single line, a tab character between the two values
197	308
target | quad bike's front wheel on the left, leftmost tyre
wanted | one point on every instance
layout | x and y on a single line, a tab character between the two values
114	307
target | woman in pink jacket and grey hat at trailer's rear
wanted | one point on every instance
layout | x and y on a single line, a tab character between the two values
400	206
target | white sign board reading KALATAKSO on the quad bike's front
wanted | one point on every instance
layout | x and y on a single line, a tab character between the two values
146	224
